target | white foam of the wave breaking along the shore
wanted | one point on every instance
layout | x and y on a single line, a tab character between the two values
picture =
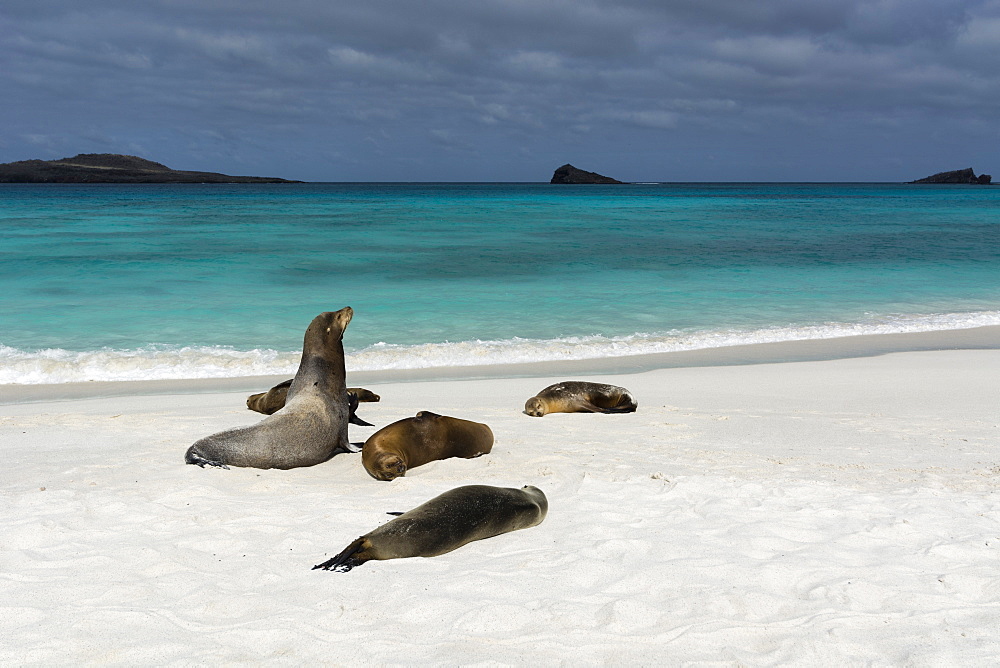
164	362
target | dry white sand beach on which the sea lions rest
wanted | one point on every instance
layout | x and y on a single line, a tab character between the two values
840	512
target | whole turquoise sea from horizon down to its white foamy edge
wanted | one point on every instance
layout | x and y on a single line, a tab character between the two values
120	282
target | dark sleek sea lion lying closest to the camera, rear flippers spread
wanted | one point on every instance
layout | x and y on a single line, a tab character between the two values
445	523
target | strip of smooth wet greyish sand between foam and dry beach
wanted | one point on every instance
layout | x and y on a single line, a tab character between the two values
864	345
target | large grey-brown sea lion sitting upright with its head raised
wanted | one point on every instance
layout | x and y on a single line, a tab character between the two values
313	425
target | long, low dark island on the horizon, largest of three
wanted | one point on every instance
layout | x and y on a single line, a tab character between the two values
112	168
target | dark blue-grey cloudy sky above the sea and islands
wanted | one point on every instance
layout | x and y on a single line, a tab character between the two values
508	90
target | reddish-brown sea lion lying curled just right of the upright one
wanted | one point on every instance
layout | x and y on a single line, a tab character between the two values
412	442
